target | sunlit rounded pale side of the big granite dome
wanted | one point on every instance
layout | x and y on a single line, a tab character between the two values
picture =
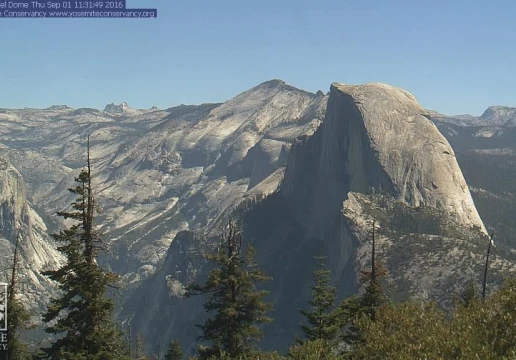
417	159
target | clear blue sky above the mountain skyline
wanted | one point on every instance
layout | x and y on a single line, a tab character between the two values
454	56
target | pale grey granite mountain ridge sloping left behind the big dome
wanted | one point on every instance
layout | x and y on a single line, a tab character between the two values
161	171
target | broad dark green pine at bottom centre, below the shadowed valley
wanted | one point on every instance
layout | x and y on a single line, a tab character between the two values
237	305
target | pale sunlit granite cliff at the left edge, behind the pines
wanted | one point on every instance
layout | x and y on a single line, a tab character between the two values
37	252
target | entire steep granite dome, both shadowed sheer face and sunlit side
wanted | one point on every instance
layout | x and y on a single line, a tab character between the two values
376	136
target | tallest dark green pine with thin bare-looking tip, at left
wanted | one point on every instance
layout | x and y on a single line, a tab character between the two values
81	319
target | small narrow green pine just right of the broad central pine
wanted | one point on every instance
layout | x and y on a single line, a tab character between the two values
322	319
